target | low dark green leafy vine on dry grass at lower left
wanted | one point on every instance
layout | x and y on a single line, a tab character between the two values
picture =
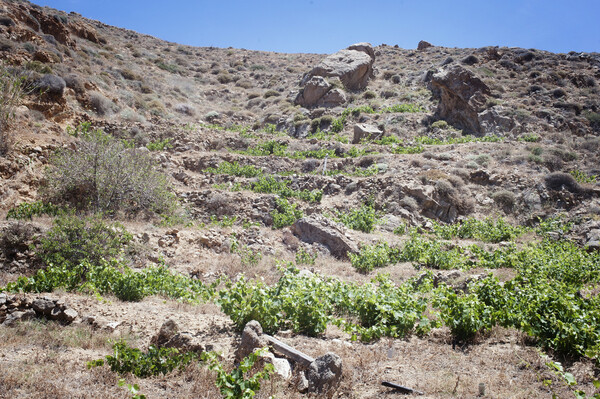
144	364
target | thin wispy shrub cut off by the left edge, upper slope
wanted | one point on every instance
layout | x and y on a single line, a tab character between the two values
11	92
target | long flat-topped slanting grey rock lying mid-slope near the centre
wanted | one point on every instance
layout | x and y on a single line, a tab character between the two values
317	228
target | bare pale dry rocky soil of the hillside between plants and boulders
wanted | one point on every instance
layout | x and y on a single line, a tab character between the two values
136	86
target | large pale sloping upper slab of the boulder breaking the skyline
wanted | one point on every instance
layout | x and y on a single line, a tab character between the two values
354	66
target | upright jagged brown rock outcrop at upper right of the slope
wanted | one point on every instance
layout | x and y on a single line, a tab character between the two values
462	97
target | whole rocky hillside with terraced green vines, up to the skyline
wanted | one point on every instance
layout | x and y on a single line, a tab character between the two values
426	217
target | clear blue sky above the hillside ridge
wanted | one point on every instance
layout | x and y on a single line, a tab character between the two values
324	26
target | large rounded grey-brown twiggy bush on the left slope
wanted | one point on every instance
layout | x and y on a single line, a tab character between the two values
104	175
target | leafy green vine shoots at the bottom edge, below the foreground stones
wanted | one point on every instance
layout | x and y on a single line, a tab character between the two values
239	384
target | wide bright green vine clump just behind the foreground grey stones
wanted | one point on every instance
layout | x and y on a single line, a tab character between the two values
307	304
